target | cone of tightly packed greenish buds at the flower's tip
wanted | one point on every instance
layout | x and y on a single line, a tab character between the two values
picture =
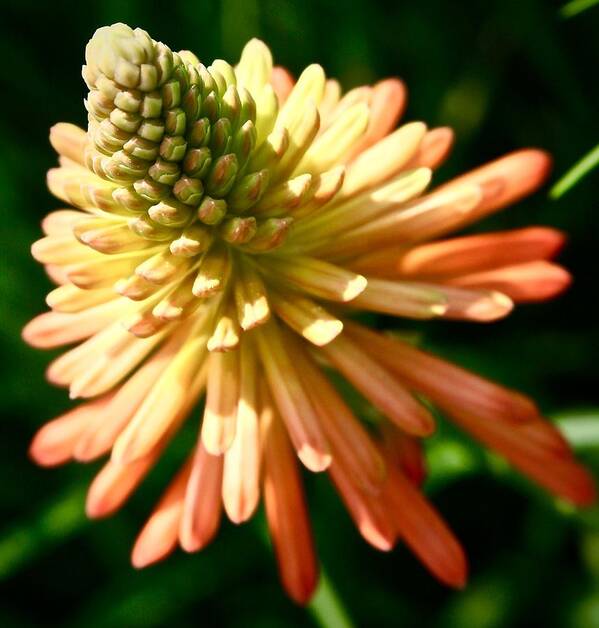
176	142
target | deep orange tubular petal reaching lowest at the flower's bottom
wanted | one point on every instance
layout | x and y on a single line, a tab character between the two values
287	515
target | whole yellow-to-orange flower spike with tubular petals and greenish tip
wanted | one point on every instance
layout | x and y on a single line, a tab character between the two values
226	224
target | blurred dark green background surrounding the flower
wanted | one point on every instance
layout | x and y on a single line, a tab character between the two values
503	74
